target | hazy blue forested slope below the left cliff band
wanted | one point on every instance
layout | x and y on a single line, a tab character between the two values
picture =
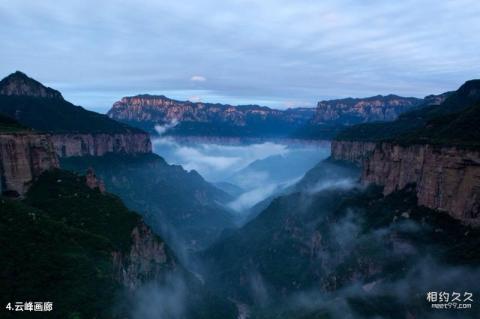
188	211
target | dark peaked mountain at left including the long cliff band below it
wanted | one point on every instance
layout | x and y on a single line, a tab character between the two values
75	131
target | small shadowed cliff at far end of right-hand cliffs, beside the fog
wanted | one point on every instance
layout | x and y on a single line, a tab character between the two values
351	151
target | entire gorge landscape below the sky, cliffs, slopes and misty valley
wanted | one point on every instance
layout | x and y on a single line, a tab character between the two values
236	226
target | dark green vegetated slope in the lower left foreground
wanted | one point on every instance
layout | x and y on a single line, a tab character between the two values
57	245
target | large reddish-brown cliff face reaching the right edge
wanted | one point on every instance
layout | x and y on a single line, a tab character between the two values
446	178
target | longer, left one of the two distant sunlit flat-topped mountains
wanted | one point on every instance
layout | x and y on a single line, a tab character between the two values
207	119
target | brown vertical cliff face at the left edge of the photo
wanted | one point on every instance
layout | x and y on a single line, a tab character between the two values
23	157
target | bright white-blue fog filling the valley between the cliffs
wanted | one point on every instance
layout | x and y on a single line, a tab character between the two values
248	172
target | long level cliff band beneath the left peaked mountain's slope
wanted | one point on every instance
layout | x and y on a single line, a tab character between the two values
67	145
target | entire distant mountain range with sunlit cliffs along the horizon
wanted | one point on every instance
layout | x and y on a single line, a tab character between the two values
187	118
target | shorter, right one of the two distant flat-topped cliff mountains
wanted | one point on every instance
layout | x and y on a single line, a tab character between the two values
353	110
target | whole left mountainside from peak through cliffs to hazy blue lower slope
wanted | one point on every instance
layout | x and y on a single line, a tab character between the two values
180	205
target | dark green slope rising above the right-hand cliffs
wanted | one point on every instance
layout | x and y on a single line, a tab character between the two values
451	123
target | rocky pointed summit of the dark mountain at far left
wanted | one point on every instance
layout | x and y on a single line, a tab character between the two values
18	83
